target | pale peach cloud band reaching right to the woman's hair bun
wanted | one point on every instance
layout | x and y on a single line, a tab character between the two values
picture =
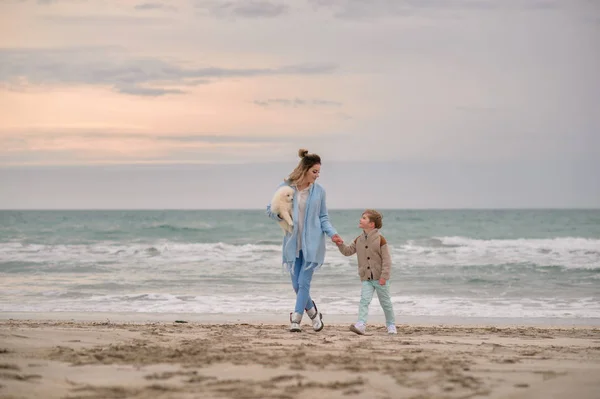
96	146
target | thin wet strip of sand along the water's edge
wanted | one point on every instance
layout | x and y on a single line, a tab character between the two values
235	318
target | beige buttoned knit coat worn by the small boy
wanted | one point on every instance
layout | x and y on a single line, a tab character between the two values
374	260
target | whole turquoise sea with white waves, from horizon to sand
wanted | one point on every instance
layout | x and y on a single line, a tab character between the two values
517	265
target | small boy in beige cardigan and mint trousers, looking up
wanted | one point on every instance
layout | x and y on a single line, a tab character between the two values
374	269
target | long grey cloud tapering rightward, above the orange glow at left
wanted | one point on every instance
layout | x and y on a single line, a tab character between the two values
125	73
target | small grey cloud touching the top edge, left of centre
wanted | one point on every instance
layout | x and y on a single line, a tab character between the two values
243	8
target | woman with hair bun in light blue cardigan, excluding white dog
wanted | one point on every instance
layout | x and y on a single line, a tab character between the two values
304	249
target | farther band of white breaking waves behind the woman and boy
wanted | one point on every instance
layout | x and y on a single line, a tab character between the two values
566	252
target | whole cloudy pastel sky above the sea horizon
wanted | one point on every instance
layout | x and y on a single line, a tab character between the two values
204	103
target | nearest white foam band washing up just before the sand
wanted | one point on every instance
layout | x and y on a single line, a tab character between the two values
282	302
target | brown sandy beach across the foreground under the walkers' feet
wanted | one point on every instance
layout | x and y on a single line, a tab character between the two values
94	359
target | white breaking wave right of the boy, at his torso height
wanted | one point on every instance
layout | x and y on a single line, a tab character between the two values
567	252
